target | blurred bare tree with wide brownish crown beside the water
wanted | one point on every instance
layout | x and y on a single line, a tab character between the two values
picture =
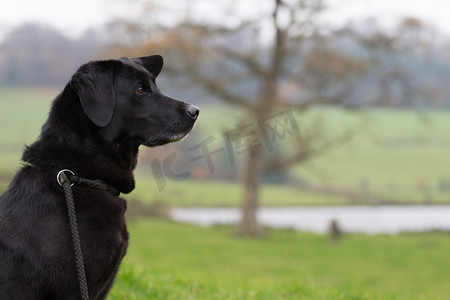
298	53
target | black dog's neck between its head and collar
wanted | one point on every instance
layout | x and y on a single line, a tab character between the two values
69	140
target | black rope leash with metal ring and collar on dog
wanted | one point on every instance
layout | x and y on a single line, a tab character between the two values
67	181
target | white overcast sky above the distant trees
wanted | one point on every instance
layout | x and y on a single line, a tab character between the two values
74	16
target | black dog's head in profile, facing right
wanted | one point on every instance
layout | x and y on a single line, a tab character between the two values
121	98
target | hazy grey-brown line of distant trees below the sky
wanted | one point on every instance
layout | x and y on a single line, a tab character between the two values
414	59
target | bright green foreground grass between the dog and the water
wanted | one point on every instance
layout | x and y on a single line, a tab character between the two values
173	261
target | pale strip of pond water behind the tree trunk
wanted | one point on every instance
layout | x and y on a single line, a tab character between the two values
361	219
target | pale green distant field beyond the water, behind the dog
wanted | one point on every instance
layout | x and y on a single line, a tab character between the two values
401	156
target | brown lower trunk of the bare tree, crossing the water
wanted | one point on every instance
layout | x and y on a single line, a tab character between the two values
249	225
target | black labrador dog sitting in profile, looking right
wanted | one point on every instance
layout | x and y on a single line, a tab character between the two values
95	127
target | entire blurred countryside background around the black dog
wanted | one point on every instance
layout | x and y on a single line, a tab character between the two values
319	165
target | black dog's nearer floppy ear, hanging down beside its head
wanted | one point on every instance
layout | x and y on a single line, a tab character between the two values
94	84
